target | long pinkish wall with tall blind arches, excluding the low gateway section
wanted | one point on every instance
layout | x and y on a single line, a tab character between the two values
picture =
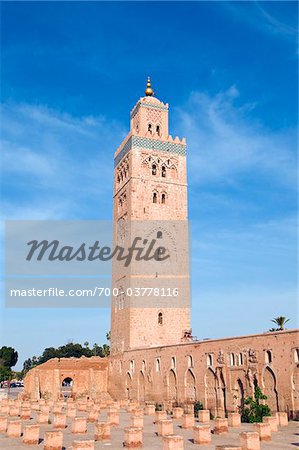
219	373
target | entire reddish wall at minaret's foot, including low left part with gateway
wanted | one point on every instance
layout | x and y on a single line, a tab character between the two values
212	372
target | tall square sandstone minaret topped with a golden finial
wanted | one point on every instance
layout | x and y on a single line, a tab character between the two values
150	185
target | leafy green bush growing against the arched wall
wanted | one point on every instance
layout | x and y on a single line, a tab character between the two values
253	410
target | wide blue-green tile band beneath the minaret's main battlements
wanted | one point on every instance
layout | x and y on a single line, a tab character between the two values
151	144
